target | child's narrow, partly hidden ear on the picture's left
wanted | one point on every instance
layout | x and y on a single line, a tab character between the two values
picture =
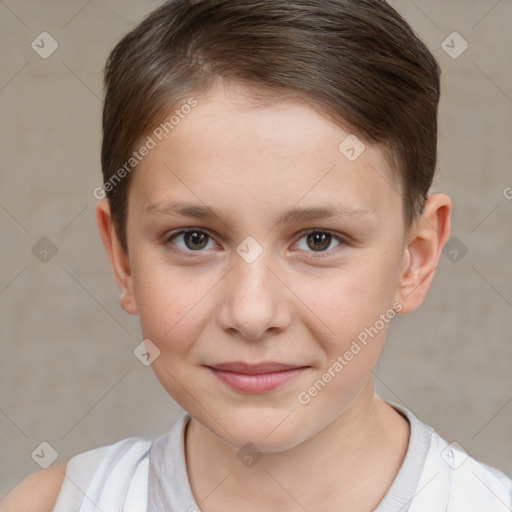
118	256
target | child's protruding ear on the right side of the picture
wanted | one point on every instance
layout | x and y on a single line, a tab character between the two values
426	240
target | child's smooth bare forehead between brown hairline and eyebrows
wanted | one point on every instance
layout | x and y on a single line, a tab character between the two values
235	150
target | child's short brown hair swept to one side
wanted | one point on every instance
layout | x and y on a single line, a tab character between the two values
356	60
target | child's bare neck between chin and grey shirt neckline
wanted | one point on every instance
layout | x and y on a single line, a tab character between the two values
340	461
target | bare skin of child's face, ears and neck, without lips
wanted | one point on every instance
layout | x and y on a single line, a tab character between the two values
249	162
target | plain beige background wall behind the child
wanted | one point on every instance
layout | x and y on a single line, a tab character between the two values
68	375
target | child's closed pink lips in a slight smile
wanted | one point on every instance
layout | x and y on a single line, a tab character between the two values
256	378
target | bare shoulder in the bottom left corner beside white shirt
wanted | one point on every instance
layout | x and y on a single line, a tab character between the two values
37	492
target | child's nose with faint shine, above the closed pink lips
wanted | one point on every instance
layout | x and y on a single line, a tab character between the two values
254	302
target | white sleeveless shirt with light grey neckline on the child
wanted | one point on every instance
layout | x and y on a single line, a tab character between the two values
138	475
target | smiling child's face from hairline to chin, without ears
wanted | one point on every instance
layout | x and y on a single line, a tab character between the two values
203	304
